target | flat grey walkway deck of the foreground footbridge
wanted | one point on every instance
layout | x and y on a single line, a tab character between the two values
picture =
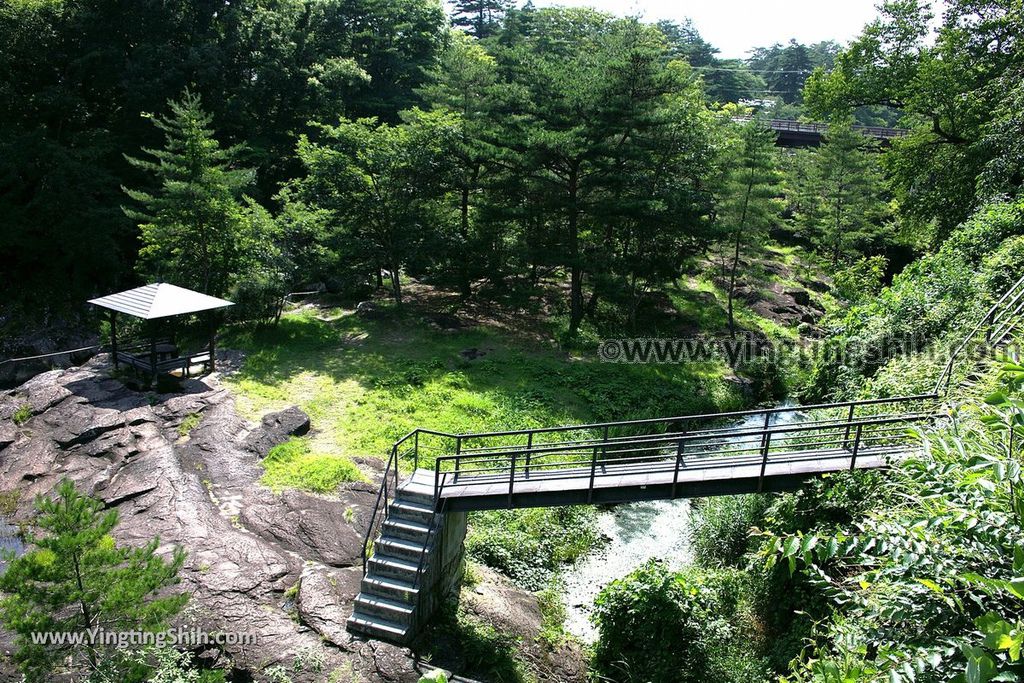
624	483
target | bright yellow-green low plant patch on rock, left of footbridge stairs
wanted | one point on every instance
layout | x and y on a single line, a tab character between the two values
292	465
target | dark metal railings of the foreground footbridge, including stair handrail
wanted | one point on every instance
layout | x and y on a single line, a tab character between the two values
515	456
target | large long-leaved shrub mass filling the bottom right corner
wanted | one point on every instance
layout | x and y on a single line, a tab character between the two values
930	589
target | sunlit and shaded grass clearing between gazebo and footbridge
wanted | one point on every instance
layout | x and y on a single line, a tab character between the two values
367	383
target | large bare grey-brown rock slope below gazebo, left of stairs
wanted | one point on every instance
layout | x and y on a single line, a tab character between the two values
284	568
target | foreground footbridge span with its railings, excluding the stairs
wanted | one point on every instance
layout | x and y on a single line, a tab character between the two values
684	457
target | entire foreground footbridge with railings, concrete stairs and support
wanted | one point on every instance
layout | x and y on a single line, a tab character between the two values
413	550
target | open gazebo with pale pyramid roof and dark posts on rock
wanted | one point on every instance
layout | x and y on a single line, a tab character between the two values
151	304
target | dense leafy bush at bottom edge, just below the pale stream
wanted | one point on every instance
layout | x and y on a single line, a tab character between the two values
673	628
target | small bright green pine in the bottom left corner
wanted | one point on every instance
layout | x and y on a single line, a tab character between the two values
76	579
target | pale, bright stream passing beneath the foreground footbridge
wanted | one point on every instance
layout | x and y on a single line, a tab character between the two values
635	533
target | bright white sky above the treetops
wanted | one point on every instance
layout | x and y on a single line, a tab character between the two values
735	27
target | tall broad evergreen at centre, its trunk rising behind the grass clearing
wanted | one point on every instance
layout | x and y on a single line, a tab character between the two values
592	95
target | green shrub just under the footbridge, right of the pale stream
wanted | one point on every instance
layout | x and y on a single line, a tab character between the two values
720	529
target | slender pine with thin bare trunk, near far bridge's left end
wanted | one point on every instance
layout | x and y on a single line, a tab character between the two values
749	194
